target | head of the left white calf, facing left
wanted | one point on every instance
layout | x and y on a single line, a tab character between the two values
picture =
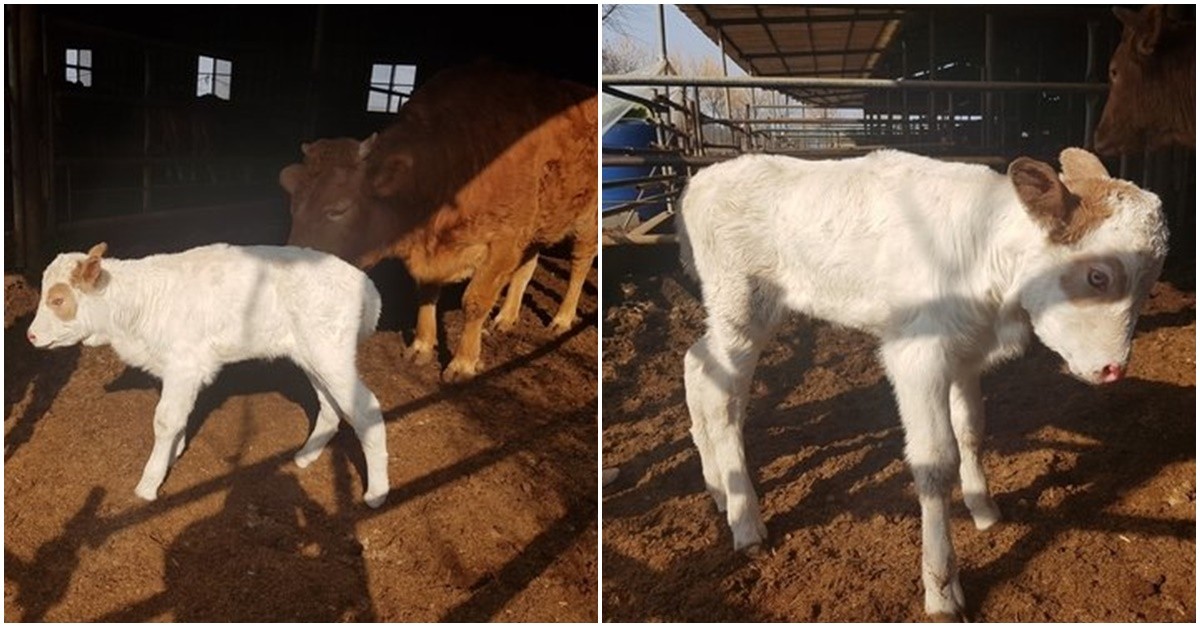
70	285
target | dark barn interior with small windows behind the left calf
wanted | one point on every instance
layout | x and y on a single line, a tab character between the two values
164	128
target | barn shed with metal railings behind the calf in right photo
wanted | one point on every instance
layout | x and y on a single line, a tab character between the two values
820	83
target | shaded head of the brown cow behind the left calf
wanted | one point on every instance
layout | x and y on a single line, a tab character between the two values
334	207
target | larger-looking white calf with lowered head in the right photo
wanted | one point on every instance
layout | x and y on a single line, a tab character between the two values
949	265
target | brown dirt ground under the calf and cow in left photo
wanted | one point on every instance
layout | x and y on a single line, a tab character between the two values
493	512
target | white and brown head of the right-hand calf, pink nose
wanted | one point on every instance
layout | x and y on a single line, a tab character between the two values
1106	241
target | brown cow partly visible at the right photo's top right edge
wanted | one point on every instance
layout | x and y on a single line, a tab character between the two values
1153	75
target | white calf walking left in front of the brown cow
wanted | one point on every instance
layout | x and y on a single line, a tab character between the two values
184	317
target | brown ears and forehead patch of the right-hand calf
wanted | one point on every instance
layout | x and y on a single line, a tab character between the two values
1066	210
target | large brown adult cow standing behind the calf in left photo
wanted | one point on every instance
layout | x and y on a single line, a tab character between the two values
483	166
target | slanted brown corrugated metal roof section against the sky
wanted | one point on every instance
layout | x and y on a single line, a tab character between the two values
805	41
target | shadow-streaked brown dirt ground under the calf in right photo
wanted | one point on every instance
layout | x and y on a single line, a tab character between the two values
1097	486
